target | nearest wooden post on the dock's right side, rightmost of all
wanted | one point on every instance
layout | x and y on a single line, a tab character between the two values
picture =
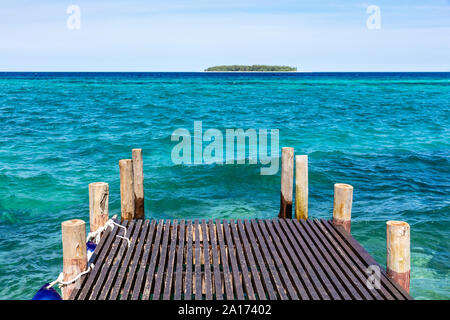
398	252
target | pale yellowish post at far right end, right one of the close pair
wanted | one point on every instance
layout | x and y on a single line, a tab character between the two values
301	187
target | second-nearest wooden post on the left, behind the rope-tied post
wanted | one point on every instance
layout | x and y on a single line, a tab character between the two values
98	204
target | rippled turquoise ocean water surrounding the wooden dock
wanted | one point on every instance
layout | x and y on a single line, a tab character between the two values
387	134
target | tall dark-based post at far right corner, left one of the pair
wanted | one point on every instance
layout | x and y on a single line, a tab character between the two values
287	180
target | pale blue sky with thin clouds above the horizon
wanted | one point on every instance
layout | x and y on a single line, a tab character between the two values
192	35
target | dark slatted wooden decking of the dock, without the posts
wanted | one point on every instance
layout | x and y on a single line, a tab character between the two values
250	259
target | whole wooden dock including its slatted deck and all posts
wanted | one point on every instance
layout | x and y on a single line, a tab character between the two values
281	259
